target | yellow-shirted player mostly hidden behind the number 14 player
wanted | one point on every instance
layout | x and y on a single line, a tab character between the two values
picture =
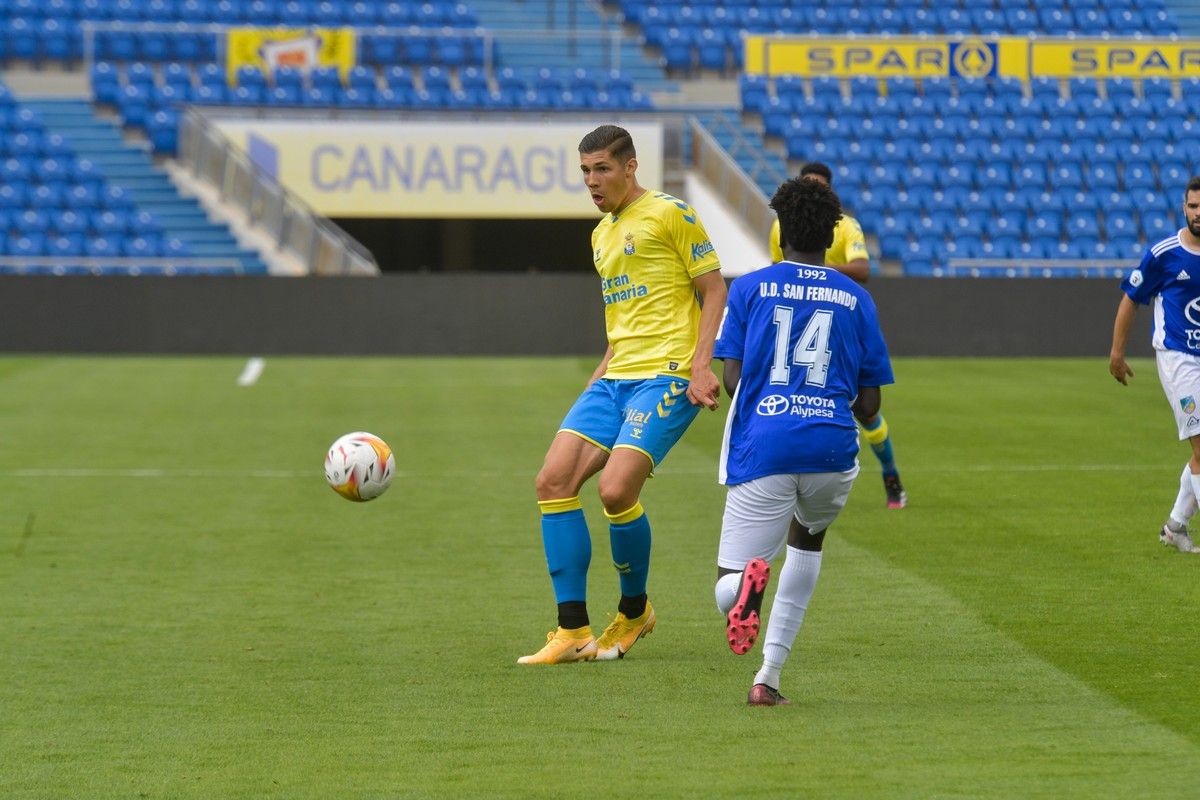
848	255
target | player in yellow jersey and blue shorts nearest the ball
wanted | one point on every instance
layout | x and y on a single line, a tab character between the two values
664	297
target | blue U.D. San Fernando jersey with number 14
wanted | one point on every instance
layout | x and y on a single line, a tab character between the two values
808	338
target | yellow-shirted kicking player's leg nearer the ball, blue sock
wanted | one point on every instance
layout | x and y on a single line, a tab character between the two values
578	453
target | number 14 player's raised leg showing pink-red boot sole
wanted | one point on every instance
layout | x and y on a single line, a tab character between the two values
754	531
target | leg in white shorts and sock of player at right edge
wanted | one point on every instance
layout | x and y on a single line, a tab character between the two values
1180	377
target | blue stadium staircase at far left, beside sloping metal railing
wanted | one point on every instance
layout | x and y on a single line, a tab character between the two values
130	167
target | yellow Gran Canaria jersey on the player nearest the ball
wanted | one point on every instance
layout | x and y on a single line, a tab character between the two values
647	258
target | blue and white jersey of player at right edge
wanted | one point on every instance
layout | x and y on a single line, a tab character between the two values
1169	275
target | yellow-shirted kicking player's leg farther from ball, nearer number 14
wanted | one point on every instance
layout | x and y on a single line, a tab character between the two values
656	414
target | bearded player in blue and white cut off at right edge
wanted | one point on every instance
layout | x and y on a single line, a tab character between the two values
1169	276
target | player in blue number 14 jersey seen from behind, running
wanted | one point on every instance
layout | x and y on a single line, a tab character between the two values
803	354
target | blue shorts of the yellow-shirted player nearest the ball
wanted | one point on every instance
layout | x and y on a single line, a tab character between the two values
649	416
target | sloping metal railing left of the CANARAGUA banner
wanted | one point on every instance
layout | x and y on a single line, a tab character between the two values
320	245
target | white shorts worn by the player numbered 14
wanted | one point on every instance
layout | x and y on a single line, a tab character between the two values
758	514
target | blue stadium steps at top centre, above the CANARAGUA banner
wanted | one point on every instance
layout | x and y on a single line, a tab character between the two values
557	50
